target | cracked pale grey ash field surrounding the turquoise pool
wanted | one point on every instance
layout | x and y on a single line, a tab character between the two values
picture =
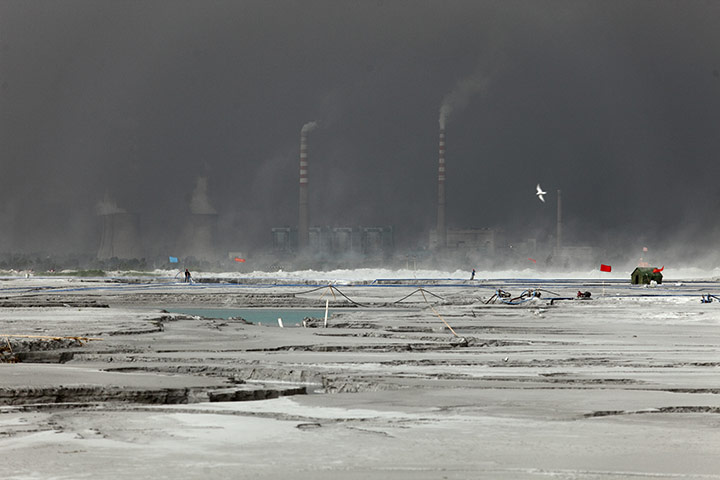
434	378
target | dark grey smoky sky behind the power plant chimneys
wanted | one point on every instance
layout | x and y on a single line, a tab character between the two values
616	103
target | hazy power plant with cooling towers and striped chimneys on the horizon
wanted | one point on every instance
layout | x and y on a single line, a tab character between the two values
198	238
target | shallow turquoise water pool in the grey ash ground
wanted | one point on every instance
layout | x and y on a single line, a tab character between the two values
265	316
